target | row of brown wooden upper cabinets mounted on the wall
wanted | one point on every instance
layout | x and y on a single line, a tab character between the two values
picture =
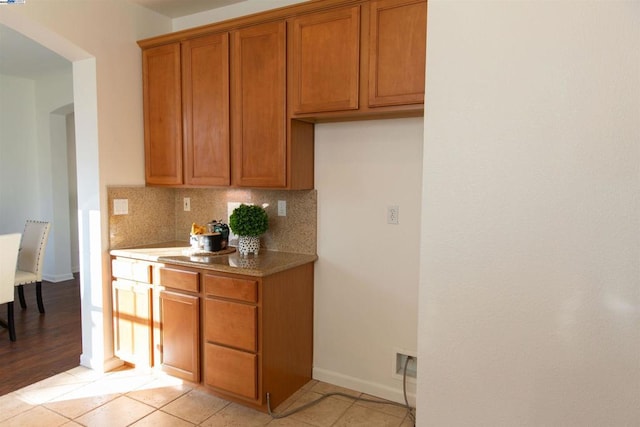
234	103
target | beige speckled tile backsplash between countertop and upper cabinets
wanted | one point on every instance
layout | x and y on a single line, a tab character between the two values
157	215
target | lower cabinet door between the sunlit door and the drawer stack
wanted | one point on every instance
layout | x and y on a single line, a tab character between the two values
180	317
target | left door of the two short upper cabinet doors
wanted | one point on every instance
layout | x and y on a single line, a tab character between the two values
325	61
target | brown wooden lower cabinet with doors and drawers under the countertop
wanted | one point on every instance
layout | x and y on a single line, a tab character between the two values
241	336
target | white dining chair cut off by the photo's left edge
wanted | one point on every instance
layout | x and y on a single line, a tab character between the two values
9	244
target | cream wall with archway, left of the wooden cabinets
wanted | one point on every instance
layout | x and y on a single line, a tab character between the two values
100	39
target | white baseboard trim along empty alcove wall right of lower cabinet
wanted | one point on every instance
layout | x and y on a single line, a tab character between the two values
364	386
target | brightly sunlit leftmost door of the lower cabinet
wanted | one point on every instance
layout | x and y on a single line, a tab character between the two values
132	325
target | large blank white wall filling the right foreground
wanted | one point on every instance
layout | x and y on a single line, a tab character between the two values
529	294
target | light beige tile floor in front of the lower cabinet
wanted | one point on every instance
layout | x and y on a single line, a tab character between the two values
126	397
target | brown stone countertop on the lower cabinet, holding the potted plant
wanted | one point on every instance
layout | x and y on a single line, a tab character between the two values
177	253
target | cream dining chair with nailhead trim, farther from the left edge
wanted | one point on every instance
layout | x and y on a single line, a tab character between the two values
31	258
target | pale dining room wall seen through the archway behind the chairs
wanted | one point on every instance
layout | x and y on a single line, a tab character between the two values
34	162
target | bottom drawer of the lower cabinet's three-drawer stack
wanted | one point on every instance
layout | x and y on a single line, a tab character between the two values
231	370
